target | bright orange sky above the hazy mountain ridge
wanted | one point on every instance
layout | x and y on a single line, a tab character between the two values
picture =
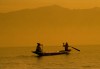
13	5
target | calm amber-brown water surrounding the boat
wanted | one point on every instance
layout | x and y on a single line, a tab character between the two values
22	58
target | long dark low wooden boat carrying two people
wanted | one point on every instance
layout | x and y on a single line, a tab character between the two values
51	53
